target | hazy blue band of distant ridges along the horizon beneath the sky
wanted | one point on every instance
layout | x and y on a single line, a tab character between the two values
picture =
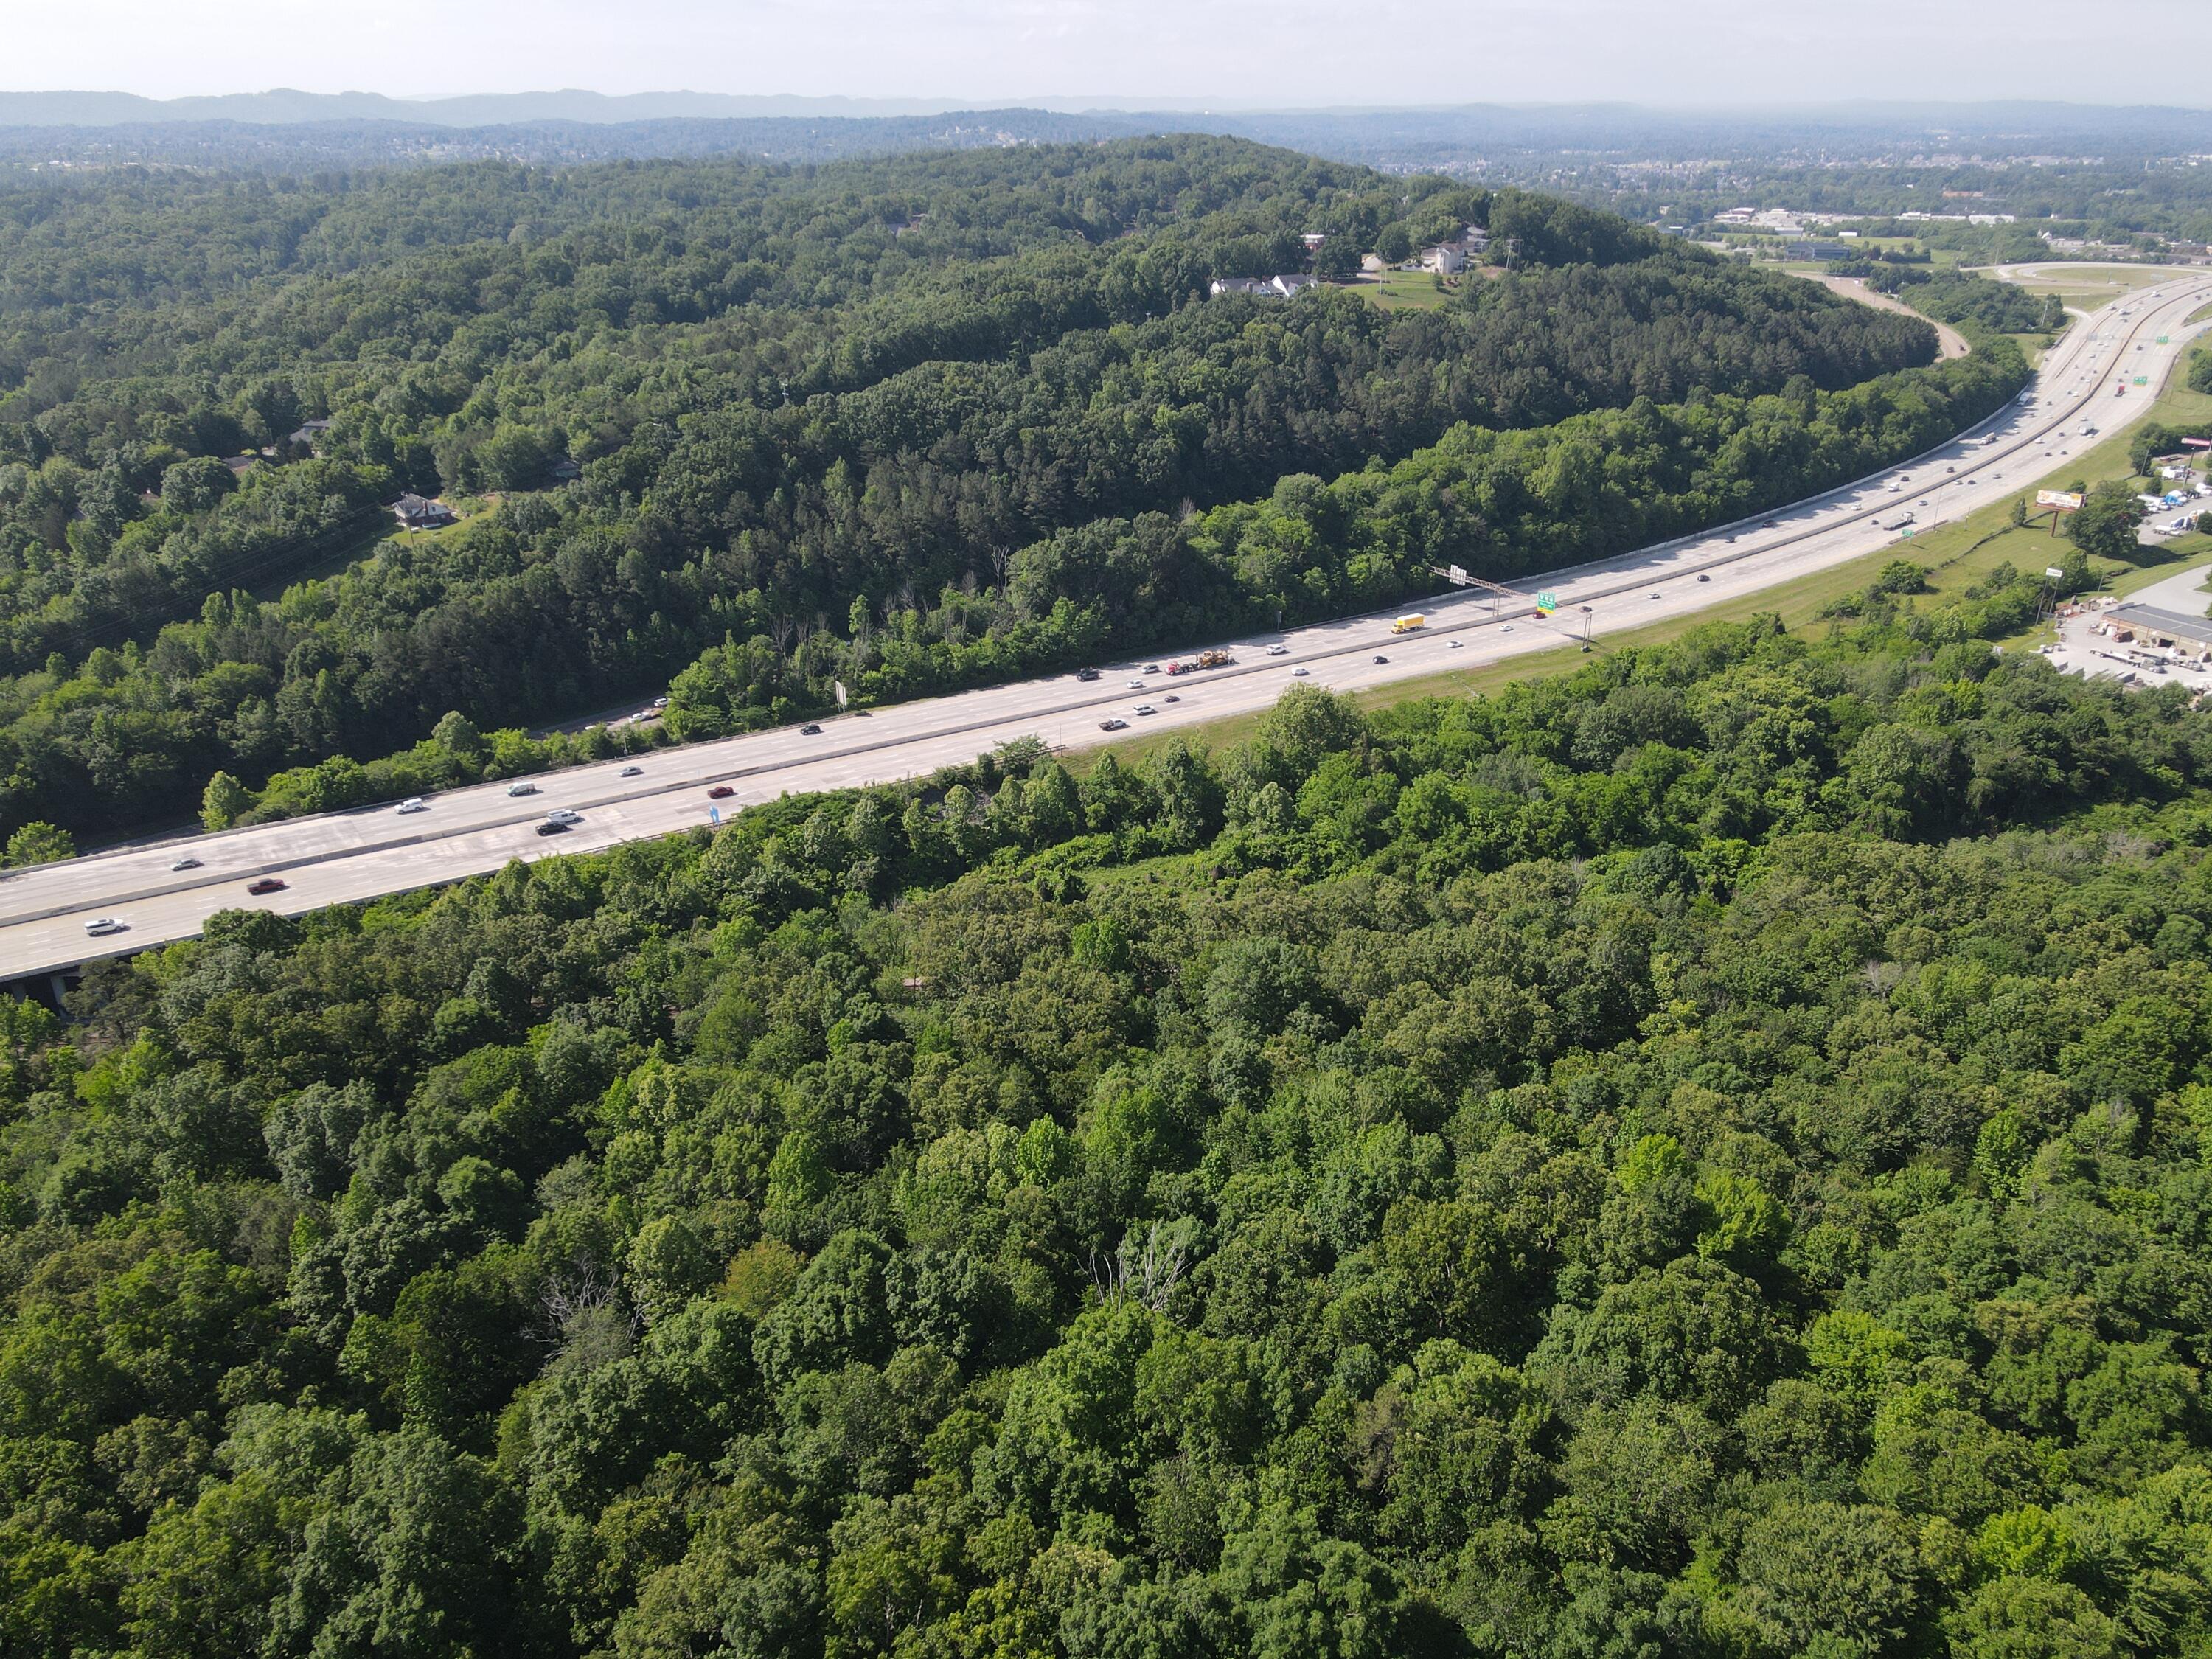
1538	145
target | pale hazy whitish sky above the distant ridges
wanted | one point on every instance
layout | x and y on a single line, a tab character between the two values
1244	52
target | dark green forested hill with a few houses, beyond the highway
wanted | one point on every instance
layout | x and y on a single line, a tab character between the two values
897	421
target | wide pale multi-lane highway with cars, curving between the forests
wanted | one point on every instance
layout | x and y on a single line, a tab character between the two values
368	853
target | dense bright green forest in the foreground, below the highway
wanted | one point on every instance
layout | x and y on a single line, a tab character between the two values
1704	1158
